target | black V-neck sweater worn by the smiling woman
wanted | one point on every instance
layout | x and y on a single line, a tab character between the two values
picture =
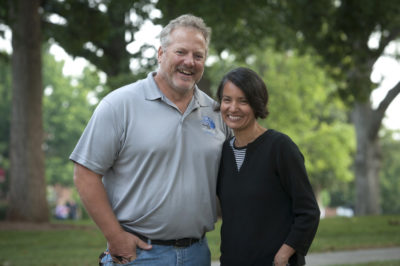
267	203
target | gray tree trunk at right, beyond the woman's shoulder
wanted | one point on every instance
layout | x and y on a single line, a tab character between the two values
367	161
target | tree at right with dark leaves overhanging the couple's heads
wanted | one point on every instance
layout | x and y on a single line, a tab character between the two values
339	32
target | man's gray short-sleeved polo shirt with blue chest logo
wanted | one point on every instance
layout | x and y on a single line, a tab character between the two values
159	166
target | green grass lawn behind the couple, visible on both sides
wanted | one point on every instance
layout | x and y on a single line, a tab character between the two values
82	246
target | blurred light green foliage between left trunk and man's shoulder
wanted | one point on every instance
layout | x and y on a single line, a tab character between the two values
66	111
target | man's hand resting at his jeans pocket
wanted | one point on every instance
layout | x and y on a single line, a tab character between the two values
122	247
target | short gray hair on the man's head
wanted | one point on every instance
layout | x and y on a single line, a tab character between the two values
187	20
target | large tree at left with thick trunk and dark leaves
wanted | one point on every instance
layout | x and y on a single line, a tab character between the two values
98	34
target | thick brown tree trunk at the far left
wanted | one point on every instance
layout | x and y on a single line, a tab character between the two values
27	197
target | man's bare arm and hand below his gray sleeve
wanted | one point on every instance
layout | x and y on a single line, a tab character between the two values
95	200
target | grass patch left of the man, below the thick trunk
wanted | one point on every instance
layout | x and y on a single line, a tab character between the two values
52	247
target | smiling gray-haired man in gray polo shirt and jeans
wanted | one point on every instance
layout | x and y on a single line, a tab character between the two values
146	165
